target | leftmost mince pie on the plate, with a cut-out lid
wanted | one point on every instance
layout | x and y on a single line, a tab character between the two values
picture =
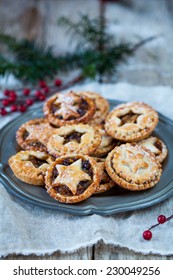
30	166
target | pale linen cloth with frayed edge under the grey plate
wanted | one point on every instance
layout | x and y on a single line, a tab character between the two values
26	229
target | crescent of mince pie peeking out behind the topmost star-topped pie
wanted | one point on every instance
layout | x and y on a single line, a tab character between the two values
102	107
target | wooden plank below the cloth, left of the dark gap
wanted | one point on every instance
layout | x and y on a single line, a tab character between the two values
82	254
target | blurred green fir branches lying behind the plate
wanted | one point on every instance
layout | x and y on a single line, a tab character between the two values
96	54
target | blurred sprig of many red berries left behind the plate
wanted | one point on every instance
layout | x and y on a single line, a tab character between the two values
15	102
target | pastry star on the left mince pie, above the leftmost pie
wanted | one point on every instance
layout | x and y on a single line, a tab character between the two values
42	132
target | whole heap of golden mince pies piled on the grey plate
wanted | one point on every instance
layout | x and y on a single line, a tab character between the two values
67	151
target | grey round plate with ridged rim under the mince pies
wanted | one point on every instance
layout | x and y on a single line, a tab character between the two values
114	201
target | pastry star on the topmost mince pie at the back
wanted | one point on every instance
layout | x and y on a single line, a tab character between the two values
67	111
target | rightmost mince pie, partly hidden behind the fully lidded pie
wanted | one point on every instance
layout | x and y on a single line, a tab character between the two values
156	146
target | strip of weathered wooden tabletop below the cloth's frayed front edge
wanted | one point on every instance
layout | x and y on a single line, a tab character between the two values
99	251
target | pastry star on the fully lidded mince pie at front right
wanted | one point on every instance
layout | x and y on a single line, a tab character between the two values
135	161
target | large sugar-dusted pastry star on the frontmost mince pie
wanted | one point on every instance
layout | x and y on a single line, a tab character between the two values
70	176
